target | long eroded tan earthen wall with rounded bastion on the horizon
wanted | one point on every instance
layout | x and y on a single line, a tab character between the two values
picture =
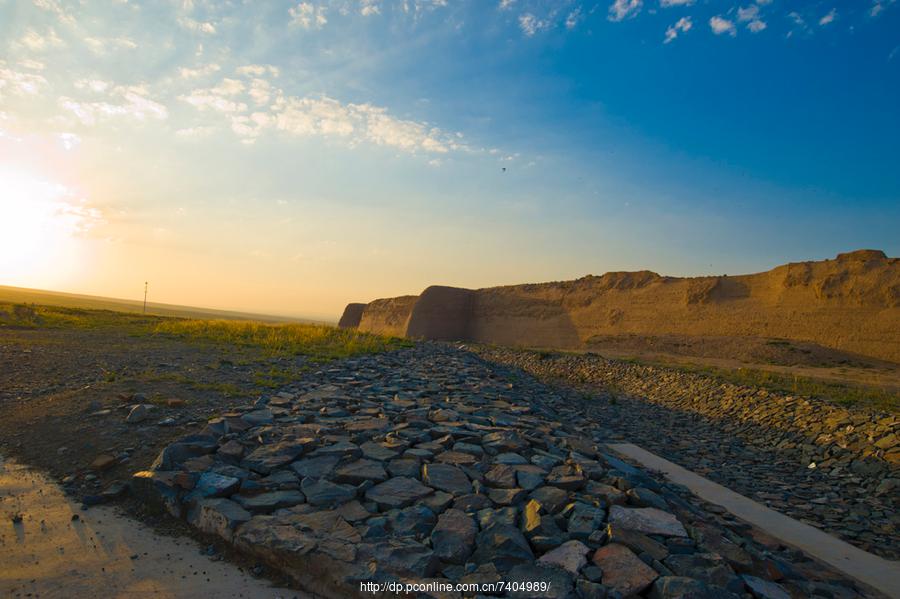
850	303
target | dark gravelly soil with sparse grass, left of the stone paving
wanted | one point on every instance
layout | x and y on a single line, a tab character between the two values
65	394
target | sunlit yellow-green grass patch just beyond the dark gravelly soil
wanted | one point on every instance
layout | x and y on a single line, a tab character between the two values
318	342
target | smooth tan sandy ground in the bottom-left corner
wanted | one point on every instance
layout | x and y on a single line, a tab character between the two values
101	553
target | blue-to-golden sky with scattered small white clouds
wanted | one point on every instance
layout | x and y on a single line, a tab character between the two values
290	157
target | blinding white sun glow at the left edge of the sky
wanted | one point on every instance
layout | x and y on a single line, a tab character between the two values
40	222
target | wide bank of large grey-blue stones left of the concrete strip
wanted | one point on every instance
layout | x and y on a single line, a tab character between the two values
431	465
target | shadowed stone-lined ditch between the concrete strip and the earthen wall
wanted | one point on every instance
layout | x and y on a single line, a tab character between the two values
648	406
